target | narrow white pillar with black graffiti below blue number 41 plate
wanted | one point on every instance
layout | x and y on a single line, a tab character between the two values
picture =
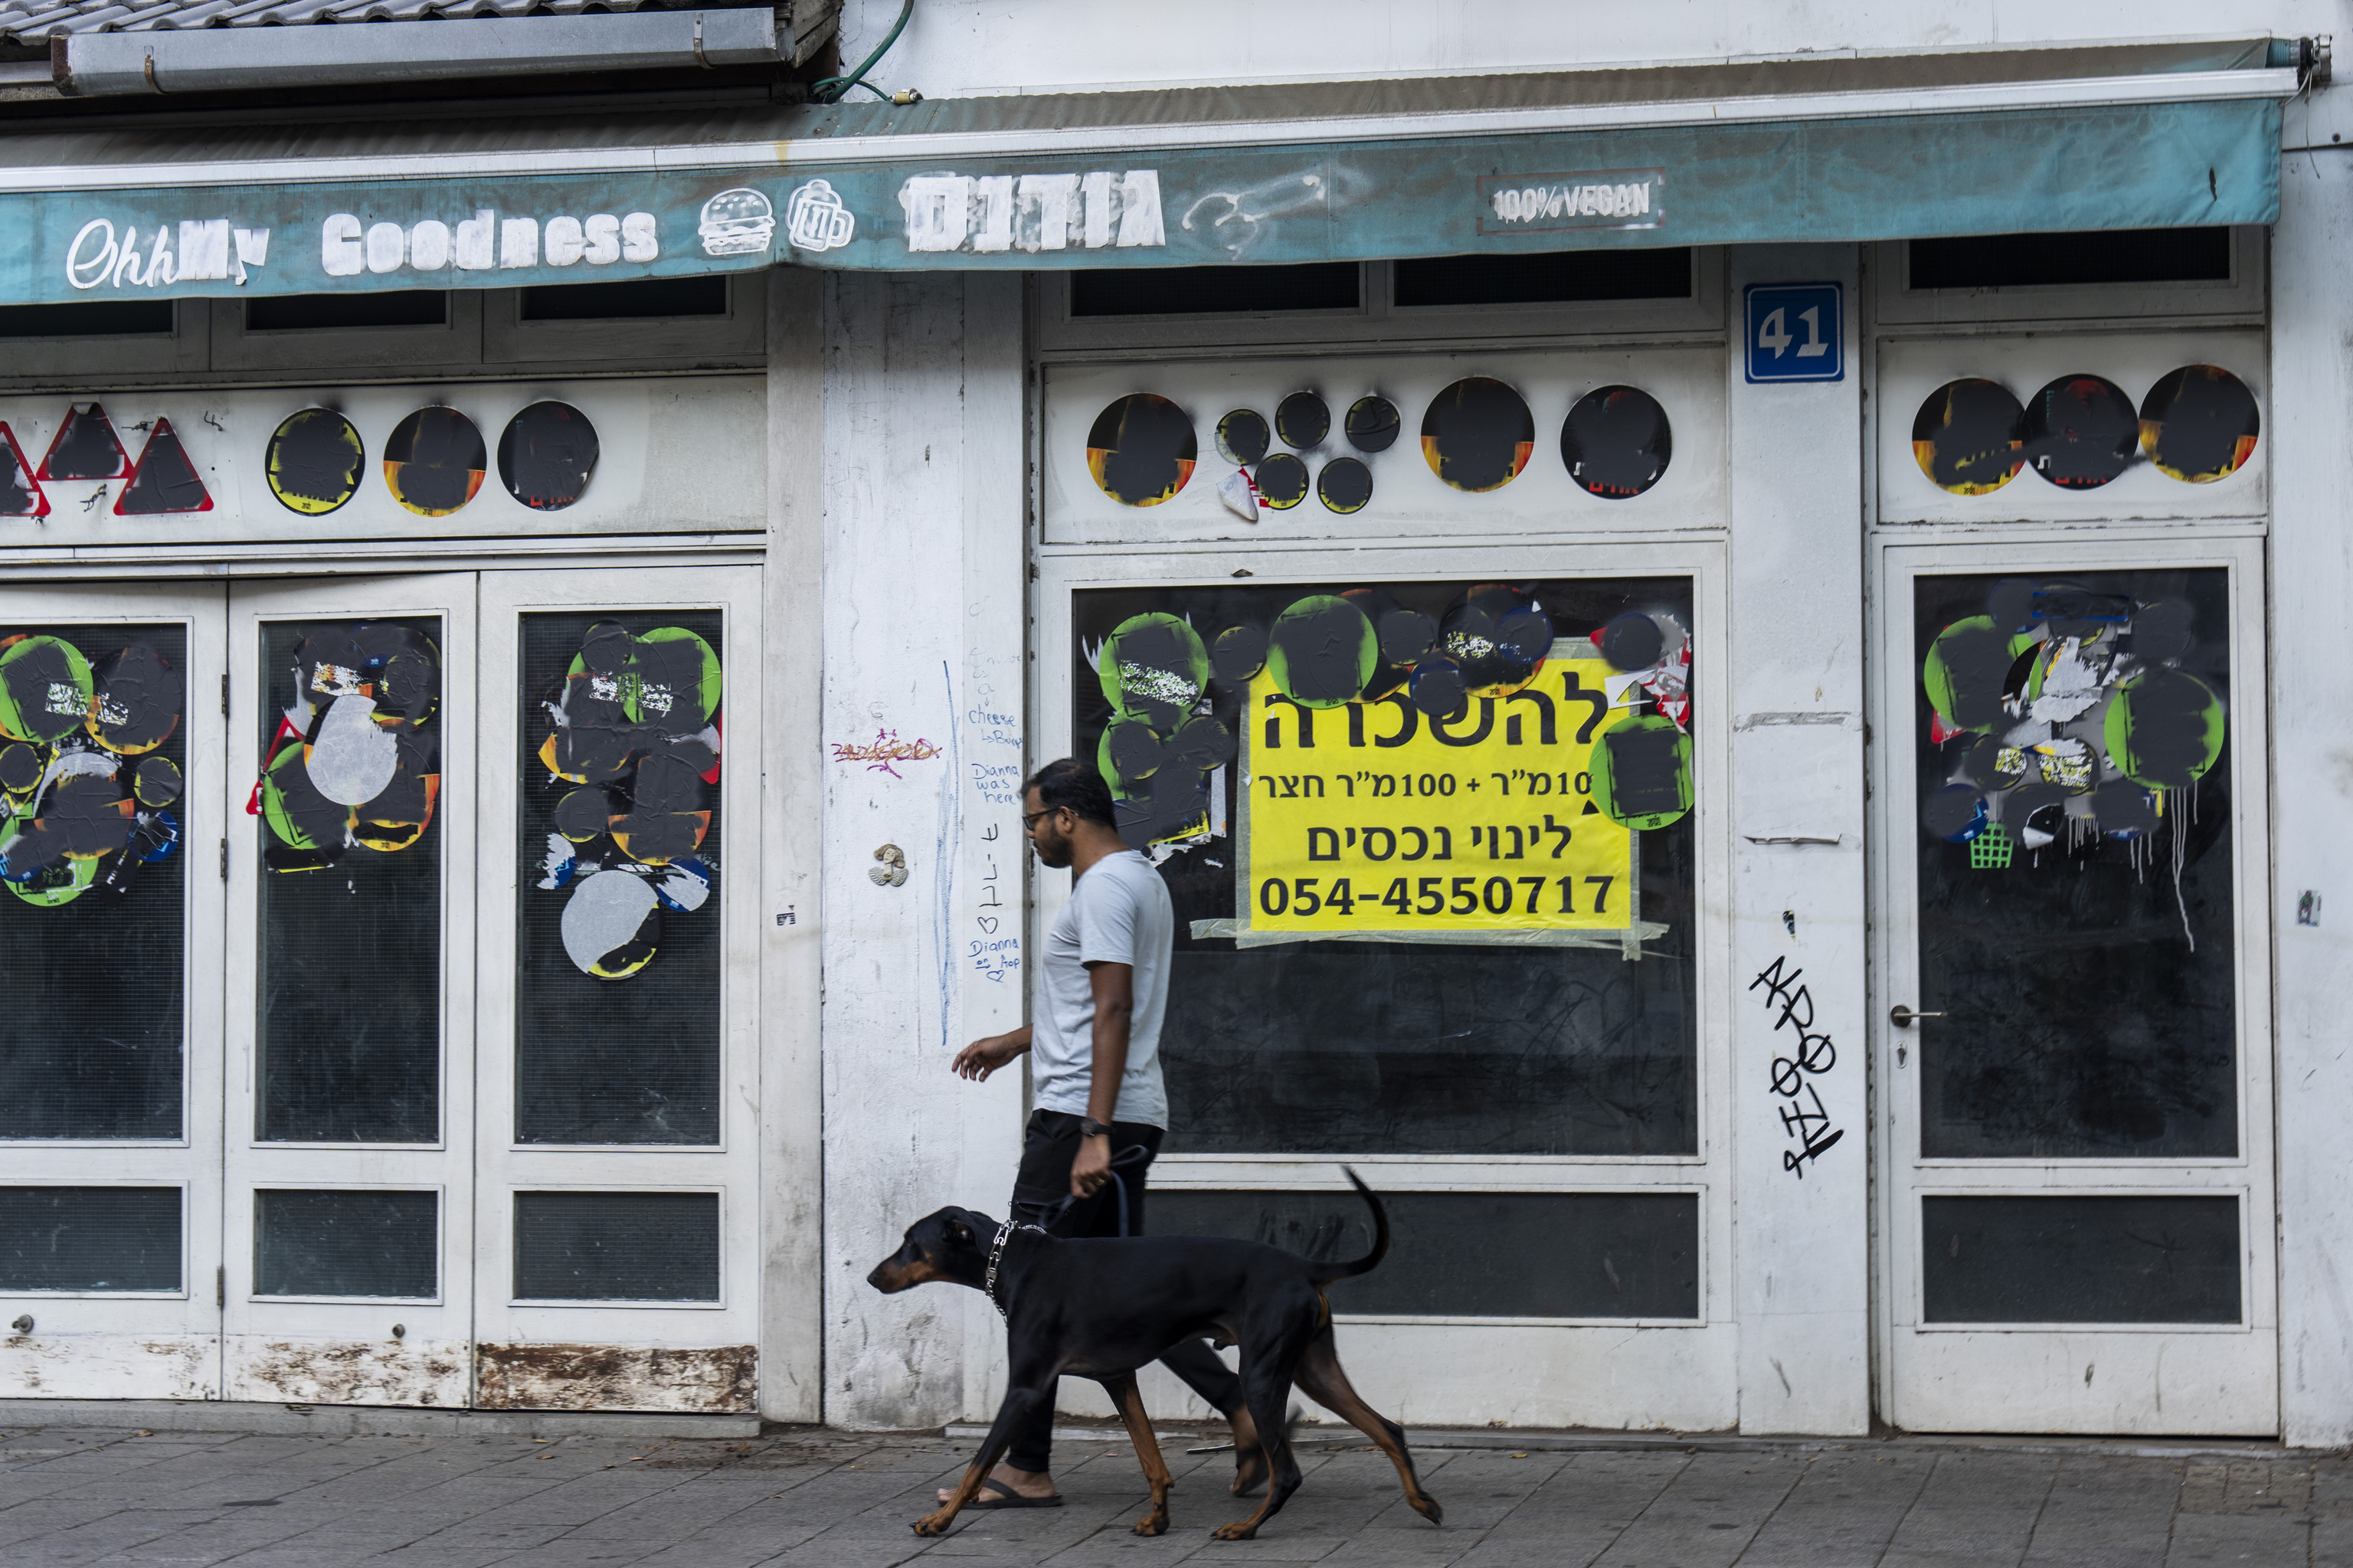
1801	1242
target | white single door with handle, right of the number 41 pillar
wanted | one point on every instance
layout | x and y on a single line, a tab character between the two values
2072	997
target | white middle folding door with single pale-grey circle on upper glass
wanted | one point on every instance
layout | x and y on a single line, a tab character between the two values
349	1134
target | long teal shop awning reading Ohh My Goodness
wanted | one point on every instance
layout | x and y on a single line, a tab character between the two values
411	215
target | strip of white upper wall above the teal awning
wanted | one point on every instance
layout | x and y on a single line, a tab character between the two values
961	48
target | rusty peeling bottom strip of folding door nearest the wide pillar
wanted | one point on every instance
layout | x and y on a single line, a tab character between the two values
721	1381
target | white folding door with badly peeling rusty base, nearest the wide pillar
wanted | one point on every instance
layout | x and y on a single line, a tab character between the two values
618	1204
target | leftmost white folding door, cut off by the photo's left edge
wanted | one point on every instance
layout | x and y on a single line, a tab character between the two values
109	1117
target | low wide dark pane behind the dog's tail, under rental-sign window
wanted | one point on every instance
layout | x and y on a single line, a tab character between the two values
1575	1254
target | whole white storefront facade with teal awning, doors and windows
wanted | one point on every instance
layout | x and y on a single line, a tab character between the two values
528	639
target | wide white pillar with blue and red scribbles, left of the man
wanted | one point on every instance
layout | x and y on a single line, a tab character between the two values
924	609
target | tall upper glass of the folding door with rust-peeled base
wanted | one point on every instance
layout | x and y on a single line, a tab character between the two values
620	839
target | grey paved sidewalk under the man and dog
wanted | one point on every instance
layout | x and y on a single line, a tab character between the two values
836	1501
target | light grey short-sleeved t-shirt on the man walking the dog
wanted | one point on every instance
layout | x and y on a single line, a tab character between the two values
1119	912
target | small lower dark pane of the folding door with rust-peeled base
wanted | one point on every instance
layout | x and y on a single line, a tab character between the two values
618	1247
